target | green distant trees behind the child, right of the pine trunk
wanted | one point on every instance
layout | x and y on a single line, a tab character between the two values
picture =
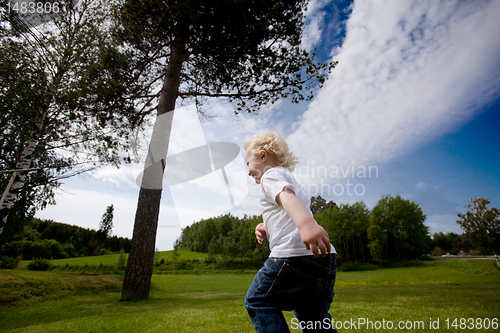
393	230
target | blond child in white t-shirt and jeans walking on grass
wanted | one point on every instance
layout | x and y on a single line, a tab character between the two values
300	272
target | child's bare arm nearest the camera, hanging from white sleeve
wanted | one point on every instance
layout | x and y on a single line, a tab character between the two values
314	237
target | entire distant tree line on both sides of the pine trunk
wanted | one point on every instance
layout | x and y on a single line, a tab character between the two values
393	230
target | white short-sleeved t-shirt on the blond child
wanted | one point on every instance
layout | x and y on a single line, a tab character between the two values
282	233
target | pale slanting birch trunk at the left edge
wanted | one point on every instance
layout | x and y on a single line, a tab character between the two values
16	181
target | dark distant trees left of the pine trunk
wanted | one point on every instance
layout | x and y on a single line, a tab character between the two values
53	240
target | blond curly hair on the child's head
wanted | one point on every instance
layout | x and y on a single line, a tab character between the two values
275	144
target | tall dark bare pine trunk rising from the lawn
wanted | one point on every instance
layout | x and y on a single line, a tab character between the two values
137	281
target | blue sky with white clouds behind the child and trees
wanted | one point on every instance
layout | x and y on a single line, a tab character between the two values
415	99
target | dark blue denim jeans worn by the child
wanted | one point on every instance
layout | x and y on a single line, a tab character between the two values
301	284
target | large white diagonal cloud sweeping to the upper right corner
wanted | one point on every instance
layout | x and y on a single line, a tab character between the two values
409	71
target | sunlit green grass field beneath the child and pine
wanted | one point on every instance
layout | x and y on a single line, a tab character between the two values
415	297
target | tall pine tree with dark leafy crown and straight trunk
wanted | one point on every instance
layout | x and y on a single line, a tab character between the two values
247	52
